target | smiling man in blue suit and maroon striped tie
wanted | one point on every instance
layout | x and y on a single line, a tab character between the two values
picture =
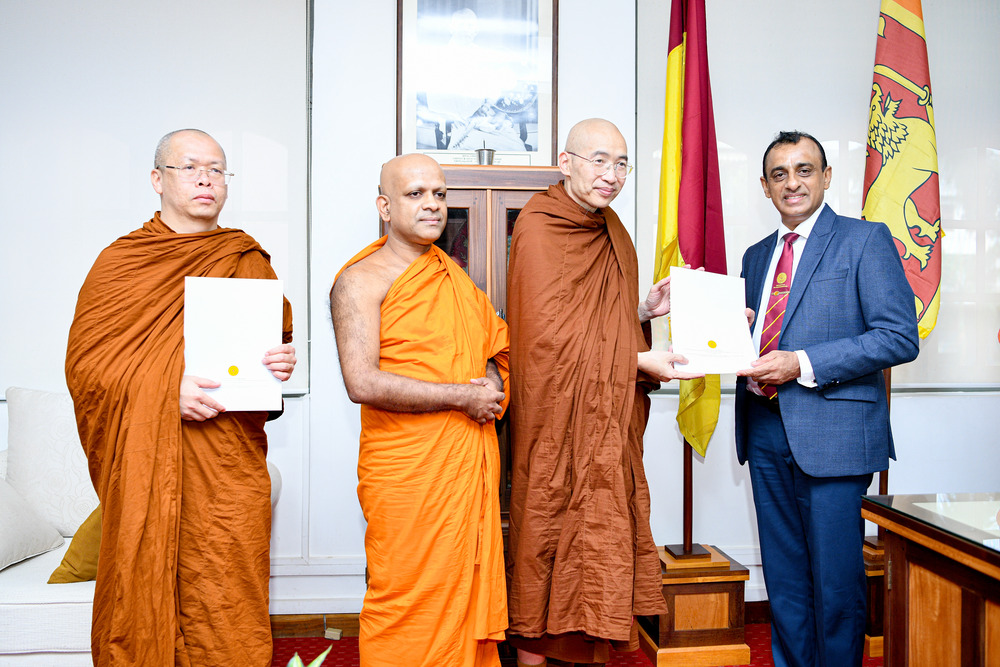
812	416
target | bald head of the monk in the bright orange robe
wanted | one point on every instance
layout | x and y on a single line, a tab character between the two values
412	200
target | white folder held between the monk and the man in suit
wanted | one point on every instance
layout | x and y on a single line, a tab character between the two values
708	324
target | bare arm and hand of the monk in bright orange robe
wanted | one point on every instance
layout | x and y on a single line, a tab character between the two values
355	304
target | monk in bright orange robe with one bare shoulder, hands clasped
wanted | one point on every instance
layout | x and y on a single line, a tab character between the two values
423	351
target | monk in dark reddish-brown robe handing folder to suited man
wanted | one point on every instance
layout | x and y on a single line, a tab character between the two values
583	561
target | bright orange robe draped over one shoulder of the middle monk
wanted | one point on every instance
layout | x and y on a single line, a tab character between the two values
429	482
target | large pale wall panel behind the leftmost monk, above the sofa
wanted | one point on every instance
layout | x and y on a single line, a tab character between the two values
88	90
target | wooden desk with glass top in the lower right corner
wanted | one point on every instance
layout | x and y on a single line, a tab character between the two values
942	578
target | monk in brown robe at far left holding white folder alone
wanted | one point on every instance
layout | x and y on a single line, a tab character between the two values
184	560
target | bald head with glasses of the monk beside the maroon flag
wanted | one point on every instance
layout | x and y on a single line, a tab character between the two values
593	148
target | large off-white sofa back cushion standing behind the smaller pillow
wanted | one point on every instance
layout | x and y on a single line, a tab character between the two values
45	462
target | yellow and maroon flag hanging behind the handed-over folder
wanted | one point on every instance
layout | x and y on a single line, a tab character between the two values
690	216
